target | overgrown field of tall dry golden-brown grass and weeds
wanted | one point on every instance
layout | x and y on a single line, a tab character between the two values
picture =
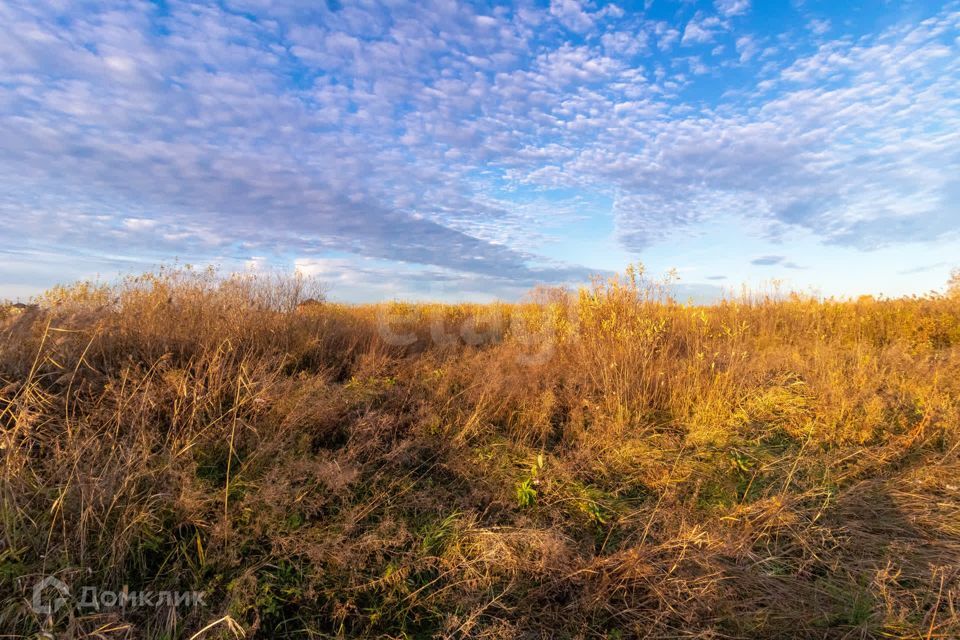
602	464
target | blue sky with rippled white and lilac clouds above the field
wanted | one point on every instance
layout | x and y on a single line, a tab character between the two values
465	150
